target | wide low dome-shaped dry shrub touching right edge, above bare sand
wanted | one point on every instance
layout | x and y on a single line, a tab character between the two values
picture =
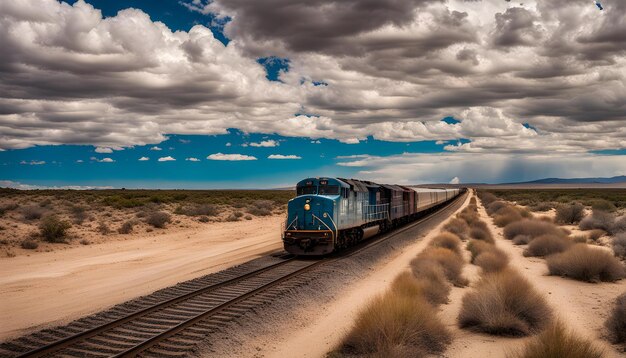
583	263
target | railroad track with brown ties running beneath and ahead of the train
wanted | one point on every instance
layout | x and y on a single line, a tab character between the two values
174	325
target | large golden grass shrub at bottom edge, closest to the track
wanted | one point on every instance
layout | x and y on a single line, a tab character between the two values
396	325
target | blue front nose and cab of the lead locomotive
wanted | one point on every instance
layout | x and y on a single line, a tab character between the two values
310	228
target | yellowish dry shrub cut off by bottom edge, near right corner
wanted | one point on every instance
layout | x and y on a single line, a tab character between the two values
558	341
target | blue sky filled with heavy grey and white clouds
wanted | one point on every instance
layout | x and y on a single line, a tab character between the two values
256	94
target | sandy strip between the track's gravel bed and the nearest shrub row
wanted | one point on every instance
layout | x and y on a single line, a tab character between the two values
322	330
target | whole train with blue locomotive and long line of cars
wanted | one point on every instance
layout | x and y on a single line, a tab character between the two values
331	214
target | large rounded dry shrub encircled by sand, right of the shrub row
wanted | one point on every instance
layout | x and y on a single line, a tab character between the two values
504	303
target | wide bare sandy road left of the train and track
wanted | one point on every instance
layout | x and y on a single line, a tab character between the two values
51	288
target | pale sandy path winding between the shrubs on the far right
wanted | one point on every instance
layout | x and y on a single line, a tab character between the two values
582	306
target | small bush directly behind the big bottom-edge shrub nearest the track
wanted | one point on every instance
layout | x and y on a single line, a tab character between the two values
432	280
